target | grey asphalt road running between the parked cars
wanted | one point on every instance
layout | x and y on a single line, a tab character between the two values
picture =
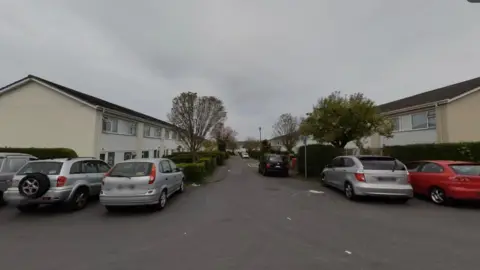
246	222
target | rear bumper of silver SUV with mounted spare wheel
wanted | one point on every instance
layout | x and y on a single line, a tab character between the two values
12	196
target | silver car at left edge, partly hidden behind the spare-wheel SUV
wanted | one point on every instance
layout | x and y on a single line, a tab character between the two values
10	163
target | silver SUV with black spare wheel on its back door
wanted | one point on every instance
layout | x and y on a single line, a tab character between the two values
69	180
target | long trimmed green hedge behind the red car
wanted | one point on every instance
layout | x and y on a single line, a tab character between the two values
468	151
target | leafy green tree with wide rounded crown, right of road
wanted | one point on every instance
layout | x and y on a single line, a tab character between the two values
338	119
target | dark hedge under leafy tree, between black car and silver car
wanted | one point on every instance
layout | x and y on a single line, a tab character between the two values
318	155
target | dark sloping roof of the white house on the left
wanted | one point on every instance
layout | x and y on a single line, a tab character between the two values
90	99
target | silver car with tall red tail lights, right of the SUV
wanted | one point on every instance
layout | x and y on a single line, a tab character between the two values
136	182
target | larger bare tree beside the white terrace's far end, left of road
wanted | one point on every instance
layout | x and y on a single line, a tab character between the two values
194	117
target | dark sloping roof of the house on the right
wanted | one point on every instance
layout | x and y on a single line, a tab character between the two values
443	93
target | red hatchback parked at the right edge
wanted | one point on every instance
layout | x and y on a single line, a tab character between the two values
445	180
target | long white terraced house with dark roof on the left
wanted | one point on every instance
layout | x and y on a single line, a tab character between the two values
35	112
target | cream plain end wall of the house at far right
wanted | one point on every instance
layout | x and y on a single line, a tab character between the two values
462	122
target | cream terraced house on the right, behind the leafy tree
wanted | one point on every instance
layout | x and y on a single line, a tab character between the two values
447	114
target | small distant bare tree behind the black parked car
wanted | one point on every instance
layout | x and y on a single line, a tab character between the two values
286	129
